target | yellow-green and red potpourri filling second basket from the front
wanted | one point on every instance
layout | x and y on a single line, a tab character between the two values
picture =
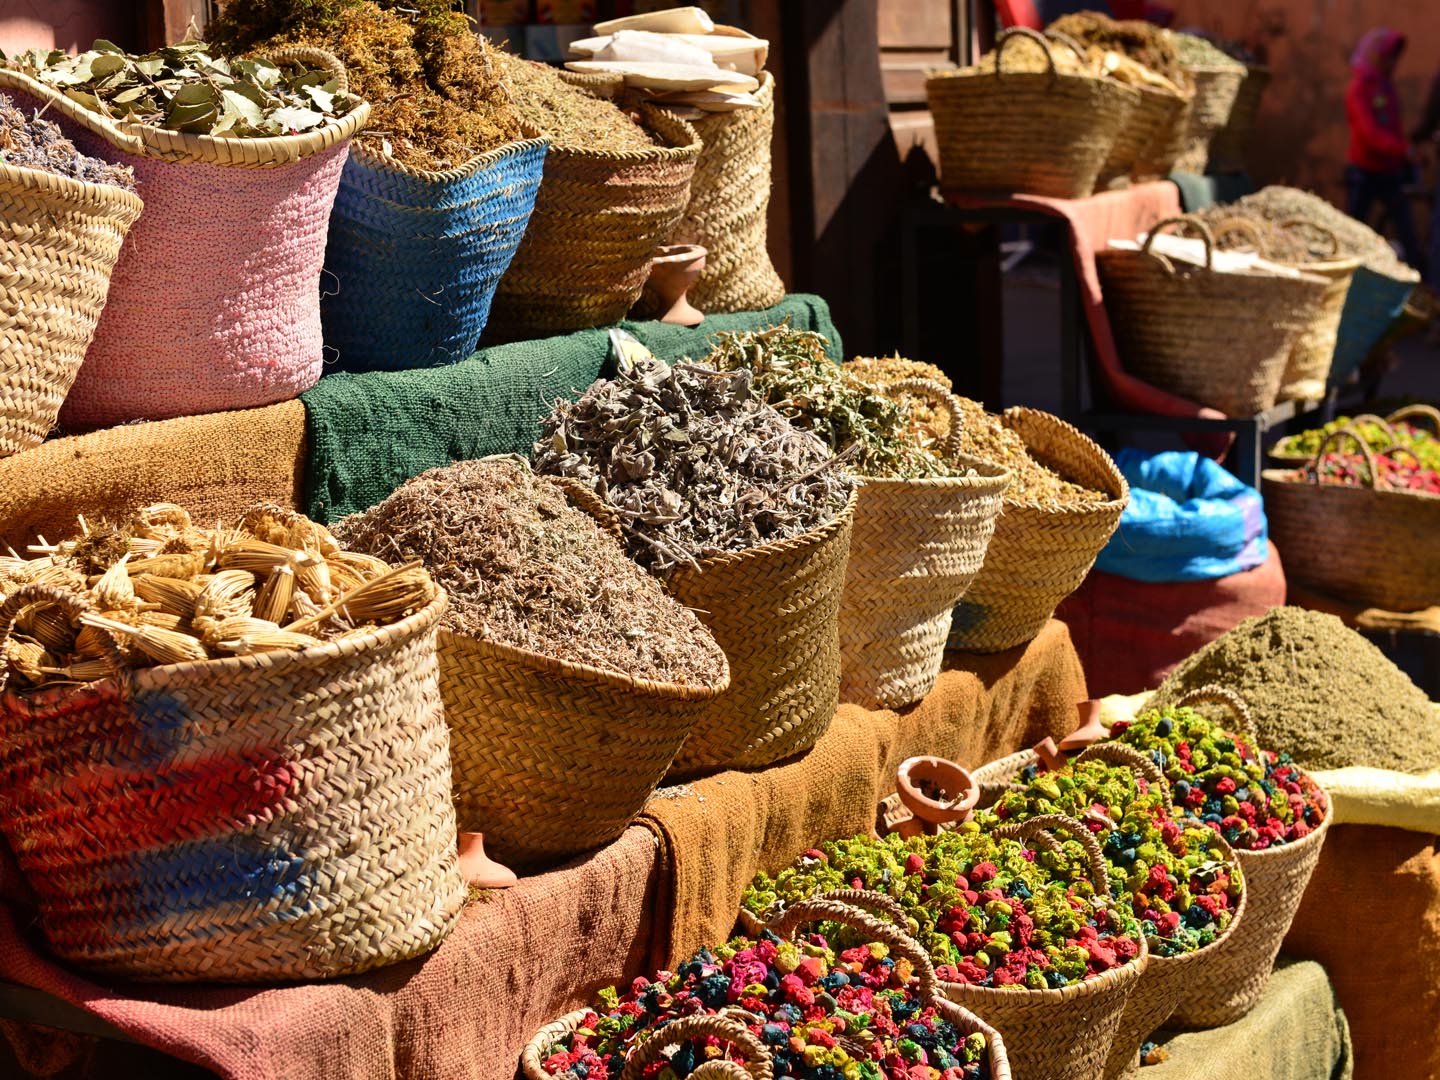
990	912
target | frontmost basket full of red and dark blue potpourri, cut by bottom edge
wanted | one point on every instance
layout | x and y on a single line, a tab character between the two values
860	1000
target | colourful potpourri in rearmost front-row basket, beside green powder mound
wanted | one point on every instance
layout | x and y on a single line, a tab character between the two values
1256	800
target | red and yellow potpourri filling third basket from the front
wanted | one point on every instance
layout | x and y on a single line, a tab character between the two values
1176	876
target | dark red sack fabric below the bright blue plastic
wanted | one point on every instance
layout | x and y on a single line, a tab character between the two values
1133	634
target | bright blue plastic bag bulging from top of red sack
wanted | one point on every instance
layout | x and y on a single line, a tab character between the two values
1189	521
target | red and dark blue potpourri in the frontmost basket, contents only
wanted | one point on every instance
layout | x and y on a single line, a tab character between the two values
822	1014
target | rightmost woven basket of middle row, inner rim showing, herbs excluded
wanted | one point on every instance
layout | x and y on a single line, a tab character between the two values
1040	552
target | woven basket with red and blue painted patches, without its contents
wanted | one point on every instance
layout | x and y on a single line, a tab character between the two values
273	817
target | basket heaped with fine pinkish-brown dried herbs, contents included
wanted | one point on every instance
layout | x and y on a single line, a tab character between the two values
570	678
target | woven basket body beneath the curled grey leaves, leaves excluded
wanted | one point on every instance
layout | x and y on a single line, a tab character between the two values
775	611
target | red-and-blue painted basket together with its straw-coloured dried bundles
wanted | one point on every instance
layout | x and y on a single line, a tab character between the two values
225	760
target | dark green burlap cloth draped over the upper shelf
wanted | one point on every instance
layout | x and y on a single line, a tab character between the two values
372	433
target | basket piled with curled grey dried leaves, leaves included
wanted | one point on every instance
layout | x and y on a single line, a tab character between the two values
747	521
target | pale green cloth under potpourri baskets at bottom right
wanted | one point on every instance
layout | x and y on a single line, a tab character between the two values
1298	1032
